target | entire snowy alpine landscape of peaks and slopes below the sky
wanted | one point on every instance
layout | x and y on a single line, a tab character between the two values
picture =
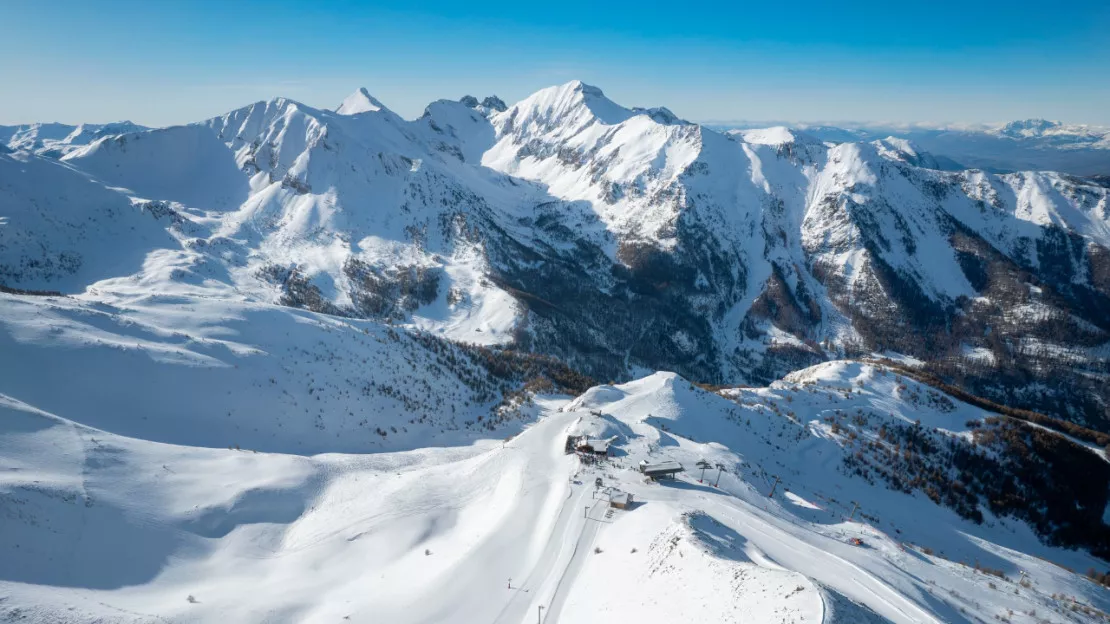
322	366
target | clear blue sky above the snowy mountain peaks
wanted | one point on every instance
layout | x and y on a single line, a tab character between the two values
167	62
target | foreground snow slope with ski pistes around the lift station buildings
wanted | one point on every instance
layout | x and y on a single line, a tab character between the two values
502	531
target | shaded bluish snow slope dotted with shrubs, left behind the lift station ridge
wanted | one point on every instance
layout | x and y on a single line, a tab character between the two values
193	370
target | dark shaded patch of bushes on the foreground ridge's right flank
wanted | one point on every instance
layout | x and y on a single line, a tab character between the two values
1013	469
